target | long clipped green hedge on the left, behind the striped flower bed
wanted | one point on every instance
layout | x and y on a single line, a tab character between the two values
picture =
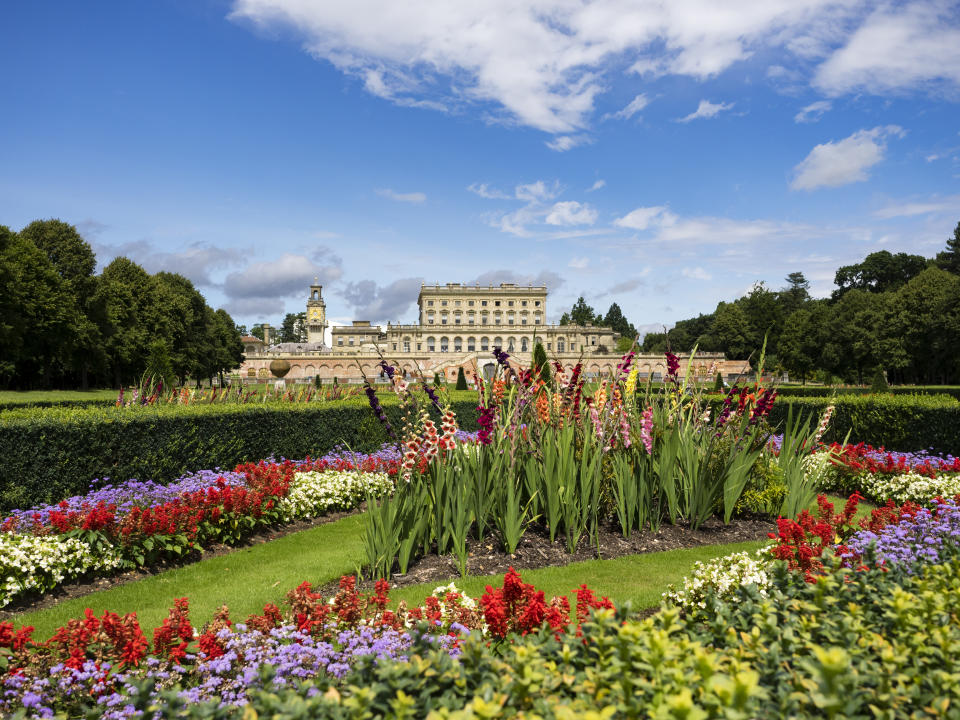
55	453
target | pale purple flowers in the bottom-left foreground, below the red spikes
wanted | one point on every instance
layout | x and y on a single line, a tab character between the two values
292	655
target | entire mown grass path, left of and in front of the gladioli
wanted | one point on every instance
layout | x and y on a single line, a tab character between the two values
248	578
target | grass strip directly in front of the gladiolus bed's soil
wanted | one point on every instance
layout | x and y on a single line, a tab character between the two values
638	579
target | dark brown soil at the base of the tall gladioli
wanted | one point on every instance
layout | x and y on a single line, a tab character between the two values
536	551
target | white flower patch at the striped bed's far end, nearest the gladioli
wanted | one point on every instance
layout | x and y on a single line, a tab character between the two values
315	493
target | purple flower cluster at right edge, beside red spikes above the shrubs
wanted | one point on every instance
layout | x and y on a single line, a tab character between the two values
921	539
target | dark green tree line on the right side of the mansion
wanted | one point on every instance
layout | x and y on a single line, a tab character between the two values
896	314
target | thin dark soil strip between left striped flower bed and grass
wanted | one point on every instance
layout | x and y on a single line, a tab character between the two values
79	588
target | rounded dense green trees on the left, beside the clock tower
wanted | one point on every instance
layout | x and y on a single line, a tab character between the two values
63	326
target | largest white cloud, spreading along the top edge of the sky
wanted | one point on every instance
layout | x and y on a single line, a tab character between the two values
543	63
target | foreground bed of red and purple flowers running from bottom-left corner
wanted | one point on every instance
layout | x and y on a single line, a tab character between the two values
104	660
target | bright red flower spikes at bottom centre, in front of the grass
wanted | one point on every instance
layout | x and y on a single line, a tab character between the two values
519	607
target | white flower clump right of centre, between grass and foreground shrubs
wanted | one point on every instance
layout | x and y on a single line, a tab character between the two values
723	575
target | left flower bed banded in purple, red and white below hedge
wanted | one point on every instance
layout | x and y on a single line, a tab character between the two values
140	523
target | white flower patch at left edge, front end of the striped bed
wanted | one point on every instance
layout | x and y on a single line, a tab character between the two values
32	563
